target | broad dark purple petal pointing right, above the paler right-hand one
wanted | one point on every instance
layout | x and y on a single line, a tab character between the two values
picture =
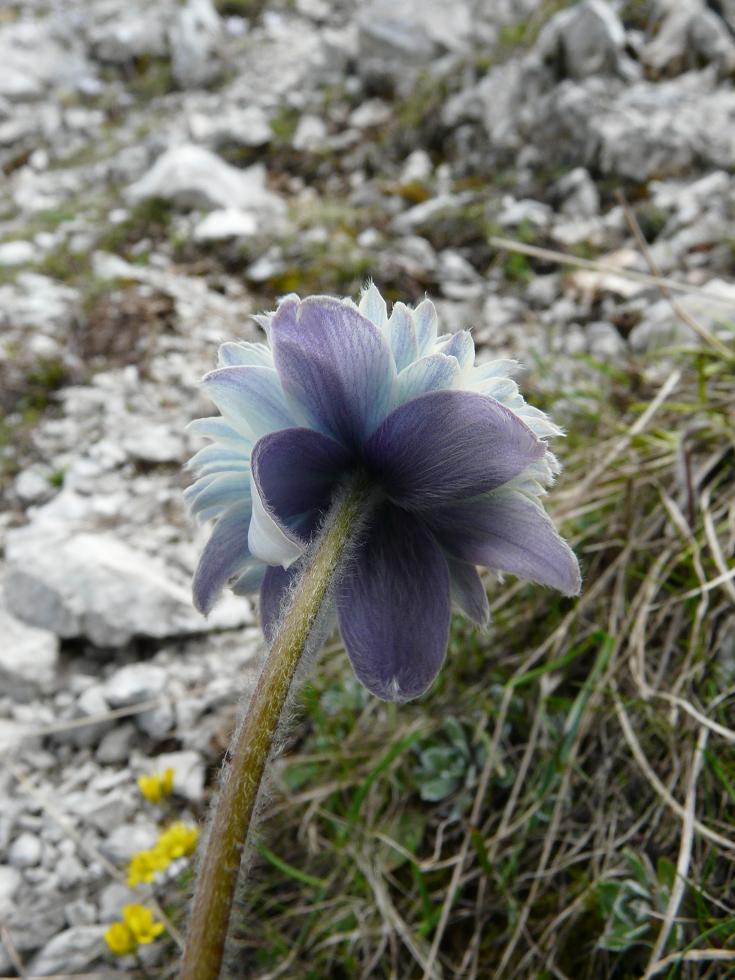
447	445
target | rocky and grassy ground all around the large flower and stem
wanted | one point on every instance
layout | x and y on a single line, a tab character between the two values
560	803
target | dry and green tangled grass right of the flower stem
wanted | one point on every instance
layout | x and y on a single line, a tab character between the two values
559	805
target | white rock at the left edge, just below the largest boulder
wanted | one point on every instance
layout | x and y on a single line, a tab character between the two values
28	658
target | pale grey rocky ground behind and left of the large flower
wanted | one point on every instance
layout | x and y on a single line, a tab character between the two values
171	168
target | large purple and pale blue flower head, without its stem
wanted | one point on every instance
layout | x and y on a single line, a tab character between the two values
457	459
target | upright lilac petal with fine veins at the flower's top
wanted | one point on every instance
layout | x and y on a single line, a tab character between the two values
335	365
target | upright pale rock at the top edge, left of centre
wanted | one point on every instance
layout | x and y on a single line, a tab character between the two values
194	39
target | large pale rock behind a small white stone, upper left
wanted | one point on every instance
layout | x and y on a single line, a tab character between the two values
191	177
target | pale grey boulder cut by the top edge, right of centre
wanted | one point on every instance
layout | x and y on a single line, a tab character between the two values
586	40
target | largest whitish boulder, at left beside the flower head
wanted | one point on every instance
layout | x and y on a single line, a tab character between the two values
95	585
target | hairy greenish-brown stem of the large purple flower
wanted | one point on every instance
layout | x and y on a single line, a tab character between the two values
253	741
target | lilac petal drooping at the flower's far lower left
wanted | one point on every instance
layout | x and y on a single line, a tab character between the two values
225	555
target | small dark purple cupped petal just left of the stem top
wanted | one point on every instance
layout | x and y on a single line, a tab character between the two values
296	470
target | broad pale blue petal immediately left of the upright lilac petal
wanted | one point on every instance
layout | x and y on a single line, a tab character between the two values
250	398
